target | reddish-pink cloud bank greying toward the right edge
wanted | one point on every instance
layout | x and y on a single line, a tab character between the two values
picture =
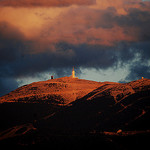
99	26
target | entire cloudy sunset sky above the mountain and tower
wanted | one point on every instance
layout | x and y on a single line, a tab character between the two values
105	40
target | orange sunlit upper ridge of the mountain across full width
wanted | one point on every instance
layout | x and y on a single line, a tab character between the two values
67	89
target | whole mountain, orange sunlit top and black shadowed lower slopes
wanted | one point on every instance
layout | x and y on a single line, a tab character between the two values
106	113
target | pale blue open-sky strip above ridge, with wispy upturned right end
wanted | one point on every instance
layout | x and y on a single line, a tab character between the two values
118	74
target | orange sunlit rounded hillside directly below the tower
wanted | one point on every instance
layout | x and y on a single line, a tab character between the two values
60	91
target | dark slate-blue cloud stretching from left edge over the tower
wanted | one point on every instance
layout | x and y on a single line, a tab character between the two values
17	61
